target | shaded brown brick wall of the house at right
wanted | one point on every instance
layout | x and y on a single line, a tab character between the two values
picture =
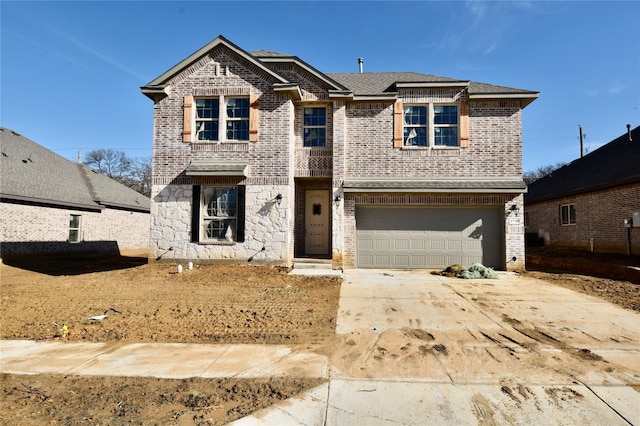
600	219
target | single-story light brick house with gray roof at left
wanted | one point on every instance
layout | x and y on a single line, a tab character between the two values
49	204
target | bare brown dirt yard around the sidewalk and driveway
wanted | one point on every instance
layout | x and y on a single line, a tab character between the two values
53	300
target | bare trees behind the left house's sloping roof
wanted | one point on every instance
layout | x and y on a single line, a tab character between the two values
136	174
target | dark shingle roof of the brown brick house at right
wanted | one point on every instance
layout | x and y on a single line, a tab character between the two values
616	163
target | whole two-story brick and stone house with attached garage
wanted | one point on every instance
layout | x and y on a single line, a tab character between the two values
258	156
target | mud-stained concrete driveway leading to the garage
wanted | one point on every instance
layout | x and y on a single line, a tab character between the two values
416	348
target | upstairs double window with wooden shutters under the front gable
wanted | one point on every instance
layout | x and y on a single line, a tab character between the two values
233	118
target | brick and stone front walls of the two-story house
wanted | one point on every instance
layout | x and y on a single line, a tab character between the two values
359	144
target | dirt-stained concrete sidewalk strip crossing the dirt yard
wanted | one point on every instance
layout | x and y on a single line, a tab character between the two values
161	360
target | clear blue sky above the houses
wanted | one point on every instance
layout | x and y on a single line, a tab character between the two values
71	71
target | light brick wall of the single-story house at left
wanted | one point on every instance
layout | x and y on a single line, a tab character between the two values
28	229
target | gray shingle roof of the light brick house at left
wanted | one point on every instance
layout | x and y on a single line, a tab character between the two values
32	173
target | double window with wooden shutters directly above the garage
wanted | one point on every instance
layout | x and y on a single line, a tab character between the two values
430	125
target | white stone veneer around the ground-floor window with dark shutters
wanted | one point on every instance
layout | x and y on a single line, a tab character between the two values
266	225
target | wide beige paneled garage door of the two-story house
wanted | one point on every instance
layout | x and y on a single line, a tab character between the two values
393	237
